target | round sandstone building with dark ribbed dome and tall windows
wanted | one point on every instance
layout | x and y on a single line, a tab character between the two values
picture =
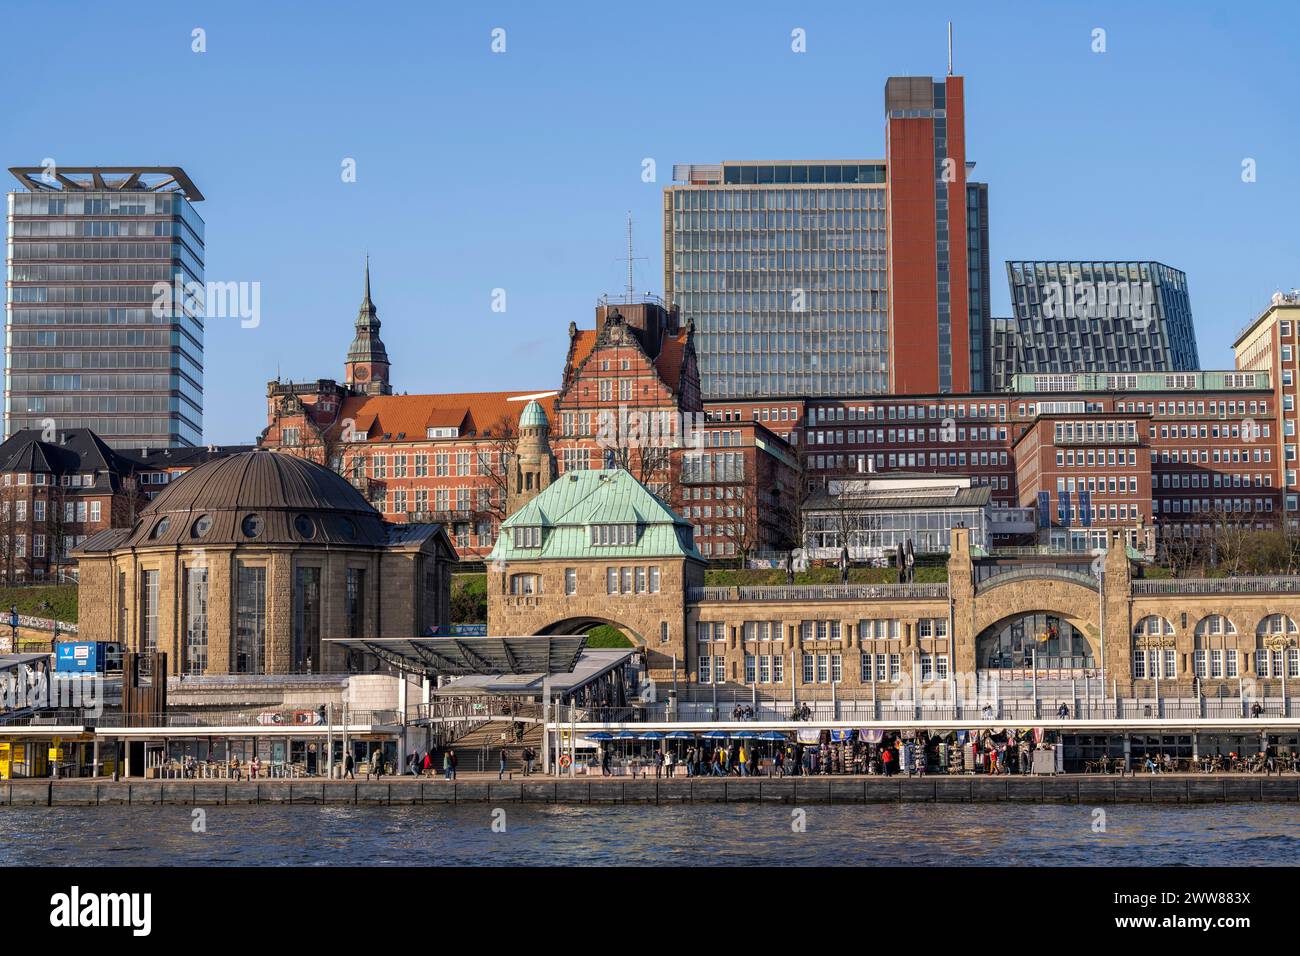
245	564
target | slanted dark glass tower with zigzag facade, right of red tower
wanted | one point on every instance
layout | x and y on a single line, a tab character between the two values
1100	317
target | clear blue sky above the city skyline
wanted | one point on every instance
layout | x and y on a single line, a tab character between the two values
480	171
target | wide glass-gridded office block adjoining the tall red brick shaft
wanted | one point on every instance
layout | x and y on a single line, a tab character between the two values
783	270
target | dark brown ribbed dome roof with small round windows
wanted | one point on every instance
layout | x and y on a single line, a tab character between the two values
257	499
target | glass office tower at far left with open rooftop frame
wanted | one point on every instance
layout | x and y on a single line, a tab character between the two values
92	343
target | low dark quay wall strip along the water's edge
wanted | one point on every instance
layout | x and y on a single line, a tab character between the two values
484	789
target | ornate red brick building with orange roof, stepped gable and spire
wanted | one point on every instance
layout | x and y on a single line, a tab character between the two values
629	399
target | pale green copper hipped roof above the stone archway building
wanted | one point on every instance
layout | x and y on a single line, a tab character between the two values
578	500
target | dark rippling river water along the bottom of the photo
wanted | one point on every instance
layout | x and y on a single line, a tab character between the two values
703	834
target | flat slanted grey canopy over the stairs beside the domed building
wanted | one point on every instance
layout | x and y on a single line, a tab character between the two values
461	656
